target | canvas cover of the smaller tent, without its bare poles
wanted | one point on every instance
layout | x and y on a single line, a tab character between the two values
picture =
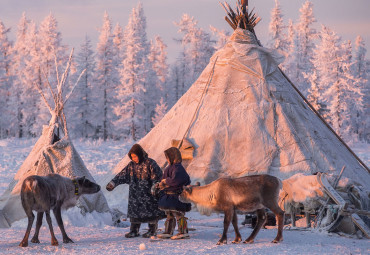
46	157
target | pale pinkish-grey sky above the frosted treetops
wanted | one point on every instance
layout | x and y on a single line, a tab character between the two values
77	18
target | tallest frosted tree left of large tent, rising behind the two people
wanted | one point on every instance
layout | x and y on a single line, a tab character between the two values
131	110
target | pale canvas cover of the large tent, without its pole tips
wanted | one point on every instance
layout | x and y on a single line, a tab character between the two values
250	120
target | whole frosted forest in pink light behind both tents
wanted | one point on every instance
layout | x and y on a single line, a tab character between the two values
128	84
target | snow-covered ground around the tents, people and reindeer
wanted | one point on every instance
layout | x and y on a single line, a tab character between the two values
92	235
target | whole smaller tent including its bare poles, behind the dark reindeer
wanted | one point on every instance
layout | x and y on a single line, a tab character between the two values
51	154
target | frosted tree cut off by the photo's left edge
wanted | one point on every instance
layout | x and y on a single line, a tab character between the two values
7	114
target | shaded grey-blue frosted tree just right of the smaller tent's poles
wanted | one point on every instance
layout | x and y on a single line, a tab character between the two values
83	104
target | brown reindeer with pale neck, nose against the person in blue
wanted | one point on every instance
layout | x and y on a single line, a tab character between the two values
247	194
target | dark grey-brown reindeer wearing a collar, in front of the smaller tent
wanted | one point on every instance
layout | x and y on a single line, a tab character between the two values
51	192
